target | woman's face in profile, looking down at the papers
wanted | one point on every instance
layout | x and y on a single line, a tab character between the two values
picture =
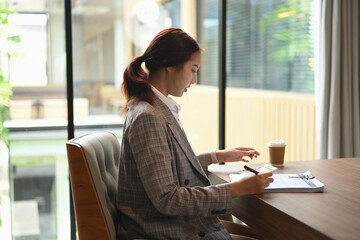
181	78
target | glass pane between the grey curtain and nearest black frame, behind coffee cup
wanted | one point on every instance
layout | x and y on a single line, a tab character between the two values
270	76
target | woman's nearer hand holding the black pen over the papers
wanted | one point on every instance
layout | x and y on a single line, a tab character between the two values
251	185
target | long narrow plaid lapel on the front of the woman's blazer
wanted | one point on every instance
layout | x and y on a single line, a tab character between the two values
180	136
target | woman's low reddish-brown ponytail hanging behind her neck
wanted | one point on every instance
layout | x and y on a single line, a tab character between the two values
135	84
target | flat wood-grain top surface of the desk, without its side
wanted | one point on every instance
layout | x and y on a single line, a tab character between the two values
335	212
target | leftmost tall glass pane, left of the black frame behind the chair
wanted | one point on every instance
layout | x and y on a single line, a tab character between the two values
33	62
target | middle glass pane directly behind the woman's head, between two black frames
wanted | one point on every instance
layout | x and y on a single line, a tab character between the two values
106	36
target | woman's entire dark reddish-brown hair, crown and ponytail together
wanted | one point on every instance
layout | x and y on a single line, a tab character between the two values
170	47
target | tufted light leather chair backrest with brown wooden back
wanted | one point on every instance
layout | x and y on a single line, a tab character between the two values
93	164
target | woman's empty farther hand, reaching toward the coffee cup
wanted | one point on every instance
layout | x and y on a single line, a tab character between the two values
236	154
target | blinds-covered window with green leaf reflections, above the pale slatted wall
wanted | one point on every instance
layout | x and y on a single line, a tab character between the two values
270	45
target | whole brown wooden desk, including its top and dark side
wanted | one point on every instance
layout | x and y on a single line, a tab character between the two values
333	214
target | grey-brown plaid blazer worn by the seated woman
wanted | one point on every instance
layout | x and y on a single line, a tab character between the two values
163	190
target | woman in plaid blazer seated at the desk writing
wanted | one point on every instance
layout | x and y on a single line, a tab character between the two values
163	190
